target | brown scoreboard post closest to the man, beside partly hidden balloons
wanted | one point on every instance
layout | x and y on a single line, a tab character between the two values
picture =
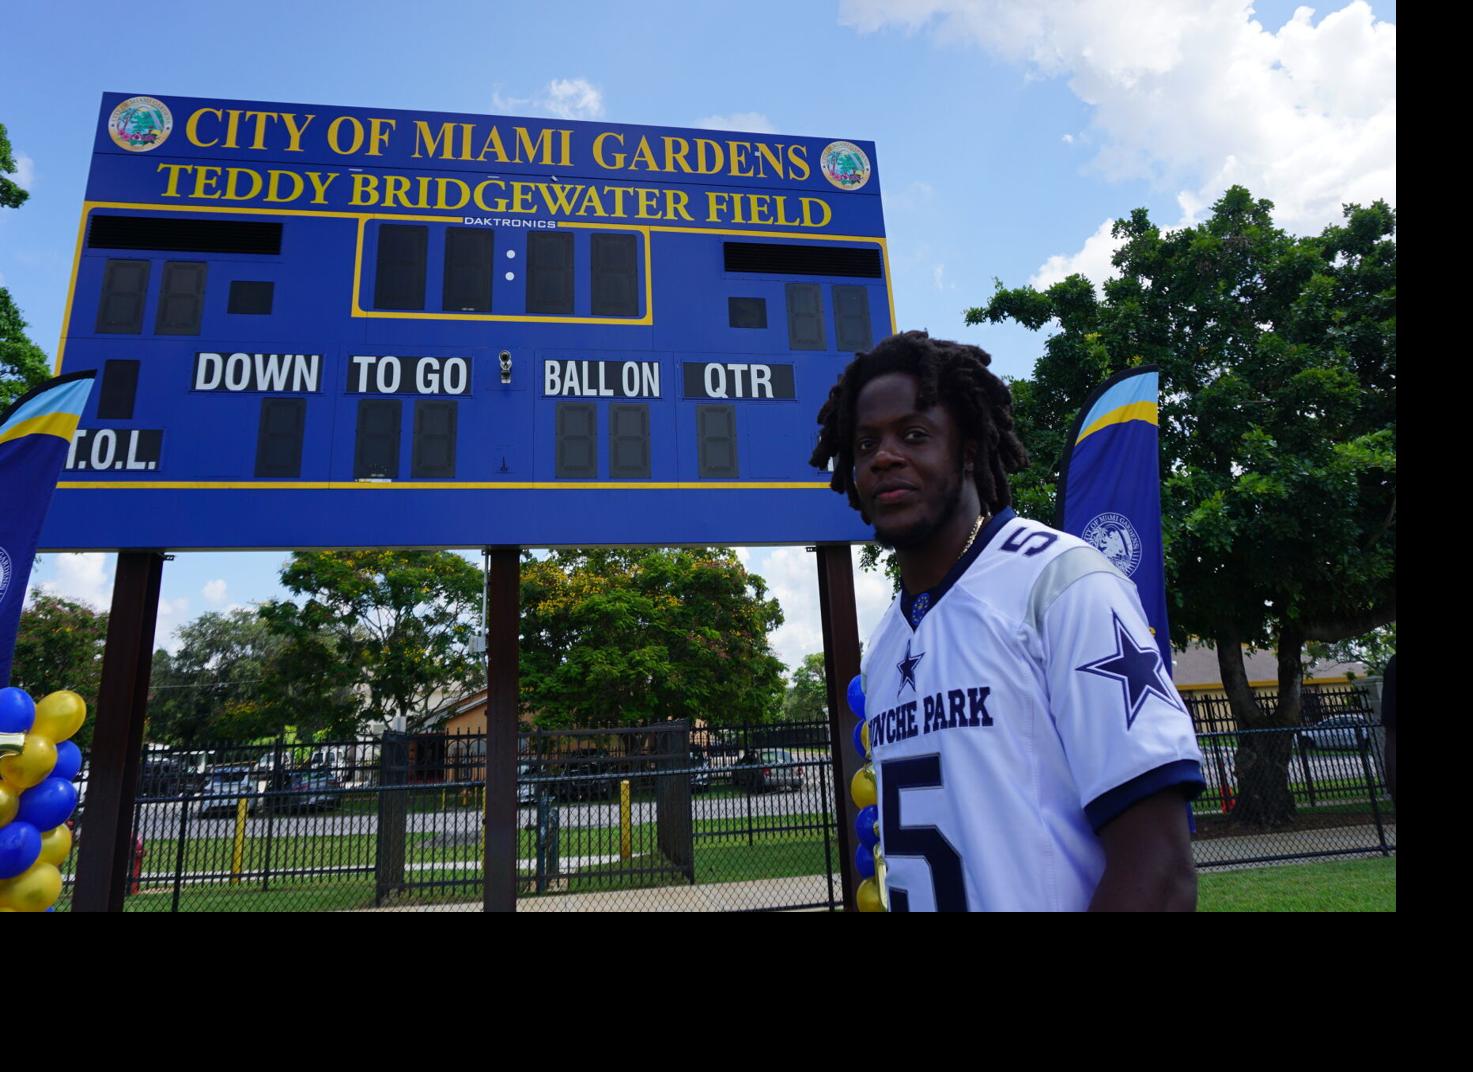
840	665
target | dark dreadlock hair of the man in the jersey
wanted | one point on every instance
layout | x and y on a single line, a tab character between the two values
945	372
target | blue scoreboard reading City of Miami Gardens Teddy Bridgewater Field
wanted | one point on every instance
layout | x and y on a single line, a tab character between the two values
322	326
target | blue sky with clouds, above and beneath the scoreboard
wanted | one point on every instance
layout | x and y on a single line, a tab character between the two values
1010	133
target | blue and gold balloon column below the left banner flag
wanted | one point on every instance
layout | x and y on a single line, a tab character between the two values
38	766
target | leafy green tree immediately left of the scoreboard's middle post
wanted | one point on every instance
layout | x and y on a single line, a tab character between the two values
393	624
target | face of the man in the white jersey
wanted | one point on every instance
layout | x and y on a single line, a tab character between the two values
908	462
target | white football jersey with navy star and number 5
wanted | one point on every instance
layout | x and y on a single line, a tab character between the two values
1024	710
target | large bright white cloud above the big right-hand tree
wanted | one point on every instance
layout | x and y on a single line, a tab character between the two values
1197	95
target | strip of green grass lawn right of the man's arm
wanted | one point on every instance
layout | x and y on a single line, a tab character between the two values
1331	886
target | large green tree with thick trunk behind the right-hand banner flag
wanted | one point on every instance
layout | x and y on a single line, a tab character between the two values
1278	422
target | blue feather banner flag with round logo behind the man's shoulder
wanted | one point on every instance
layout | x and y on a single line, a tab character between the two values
1110	488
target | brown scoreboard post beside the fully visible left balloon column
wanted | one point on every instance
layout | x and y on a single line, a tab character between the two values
123	702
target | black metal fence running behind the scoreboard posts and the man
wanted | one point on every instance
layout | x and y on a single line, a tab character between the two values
627	819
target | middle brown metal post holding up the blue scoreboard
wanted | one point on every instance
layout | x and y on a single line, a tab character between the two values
503	683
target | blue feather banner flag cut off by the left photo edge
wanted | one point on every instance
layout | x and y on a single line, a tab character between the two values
36	435
